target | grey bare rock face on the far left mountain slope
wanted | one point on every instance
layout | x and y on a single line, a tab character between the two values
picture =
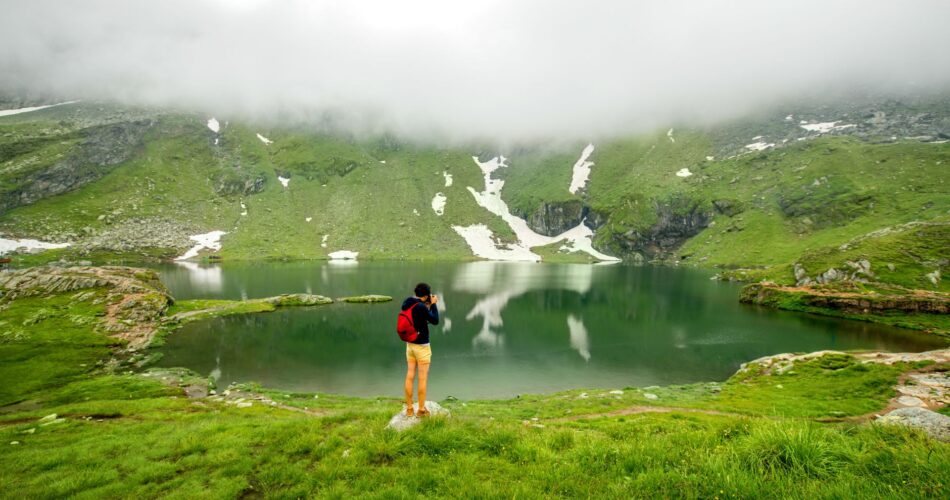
101	149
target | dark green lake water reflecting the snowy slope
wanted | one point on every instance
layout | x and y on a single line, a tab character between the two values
507	329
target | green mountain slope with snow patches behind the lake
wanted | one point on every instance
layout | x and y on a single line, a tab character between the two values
116	180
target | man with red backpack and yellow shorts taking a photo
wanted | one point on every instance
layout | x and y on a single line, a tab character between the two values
418	352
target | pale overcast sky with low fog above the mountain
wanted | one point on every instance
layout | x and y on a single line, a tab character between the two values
476	69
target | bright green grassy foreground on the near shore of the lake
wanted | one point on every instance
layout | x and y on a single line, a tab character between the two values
121	432
